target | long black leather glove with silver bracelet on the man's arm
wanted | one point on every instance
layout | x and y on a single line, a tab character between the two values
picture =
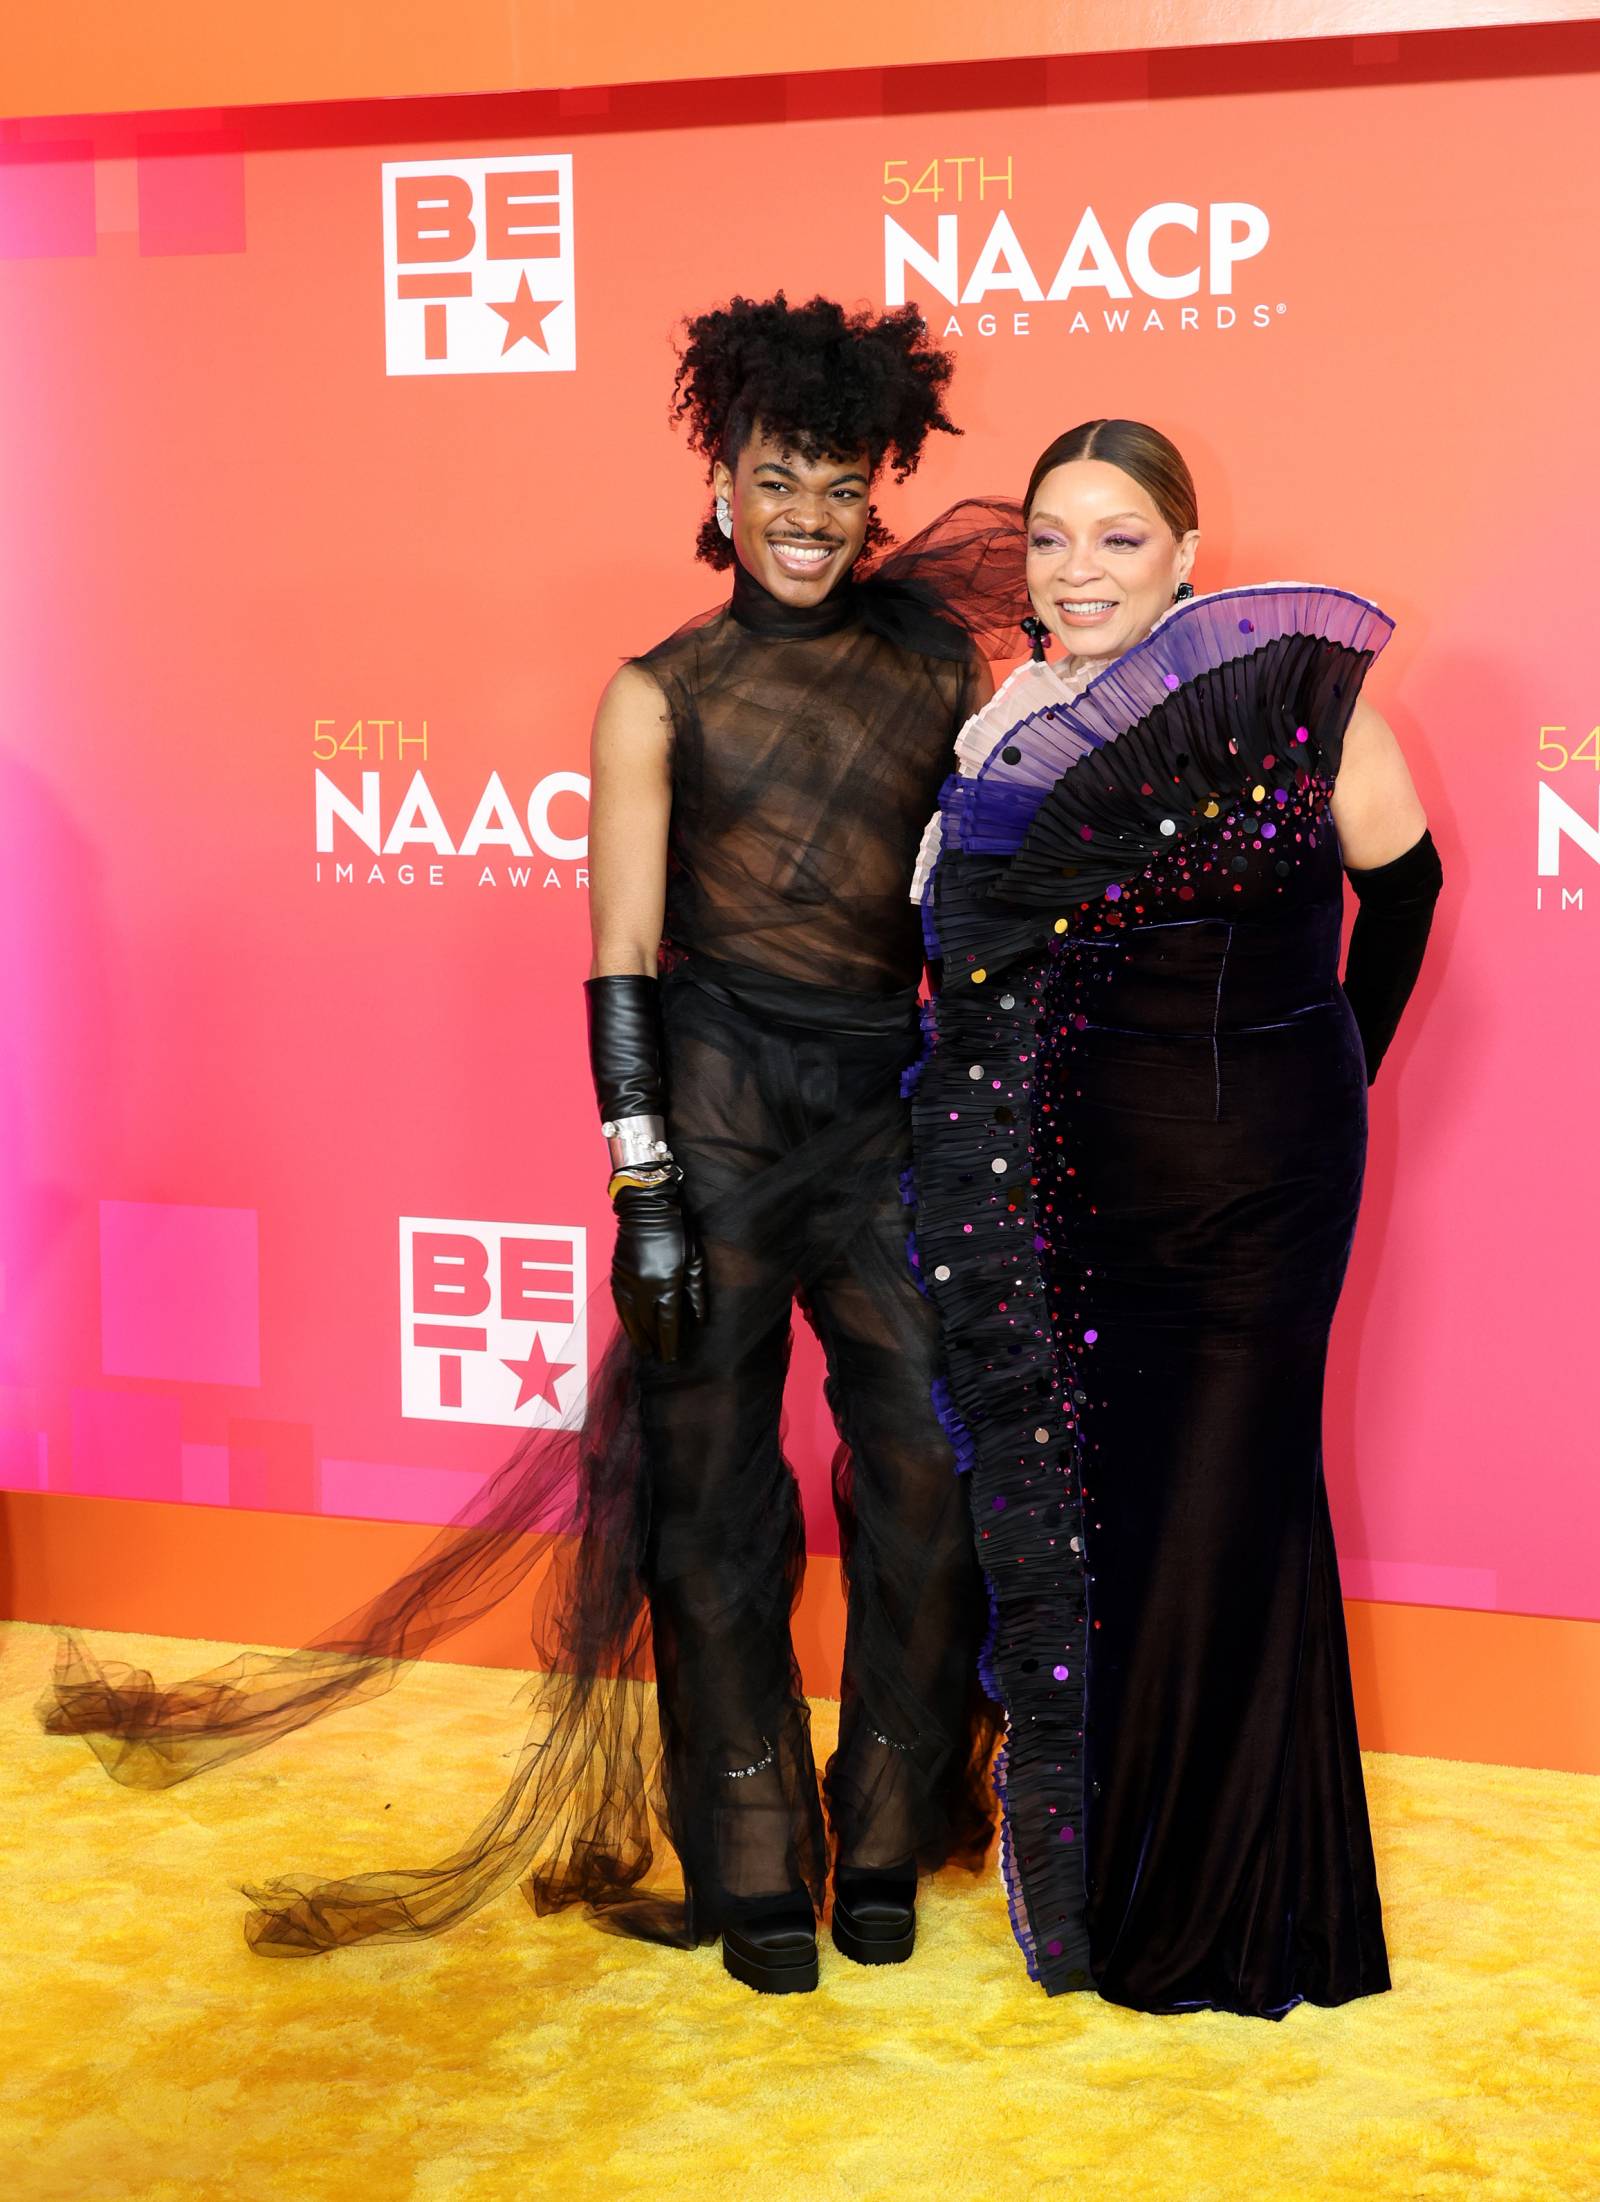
657	1265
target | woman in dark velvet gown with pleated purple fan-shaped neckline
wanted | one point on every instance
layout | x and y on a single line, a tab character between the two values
1141	1137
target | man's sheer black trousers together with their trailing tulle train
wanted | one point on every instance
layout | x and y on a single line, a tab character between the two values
710	1547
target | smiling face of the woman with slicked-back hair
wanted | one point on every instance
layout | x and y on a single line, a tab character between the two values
1102	560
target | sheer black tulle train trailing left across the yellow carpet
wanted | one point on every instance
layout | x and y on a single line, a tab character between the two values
580	1816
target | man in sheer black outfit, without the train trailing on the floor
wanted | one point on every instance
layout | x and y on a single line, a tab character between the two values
760	787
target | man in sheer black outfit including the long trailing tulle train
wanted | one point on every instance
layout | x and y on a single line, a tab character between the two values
760	787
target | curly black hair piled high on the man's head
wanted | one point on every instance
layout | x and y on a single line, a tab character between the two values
824	380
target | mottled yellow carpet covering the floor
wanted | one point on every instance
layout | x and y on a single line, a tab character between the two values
144	2053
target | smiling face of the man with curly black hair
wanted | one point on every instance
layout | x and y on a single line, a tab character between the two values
798	523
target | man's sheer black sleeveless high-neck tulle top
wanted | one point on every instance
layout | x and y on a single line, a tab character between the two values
807	754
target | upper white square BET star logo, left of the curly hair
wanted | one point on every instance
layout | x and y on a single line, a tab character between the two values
479	265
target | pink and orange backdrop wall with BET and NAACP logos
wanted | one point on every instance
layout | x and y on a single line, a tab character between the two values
338	479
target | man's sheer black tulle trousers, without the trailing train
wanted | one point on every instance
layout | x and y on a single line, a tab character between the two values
789	1124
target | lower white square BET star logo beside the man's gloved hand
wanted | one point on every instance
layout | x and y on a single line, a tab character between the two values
492	1322
